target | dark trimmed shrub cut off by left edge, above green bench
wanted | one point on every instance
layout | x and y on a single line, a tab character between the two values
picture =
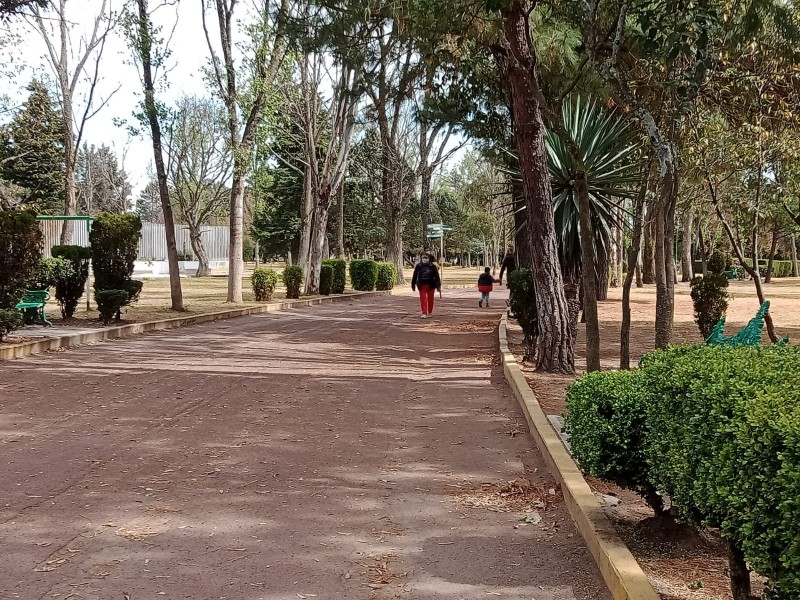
20	251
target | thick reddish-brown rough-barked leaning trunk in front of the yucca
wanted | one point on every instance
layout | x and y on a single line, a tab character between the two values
555	351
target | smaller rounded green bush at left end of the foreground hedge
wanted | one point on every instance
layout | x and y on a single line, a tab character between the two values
607	422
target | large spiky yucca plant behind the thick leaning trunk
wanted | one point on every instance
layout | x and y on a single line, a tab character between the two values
609	149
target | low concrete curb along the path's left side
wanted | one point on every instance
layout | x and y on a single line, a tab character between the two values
126	331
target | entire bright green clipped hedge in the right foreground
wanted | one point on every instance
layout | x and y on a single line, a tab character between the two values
718	430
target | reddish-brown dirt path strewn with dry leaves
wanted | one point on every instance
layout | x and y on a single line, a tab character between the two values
344	451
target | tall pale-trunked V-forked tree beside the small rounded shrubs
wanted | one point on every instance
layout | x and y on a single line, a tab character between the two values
244	102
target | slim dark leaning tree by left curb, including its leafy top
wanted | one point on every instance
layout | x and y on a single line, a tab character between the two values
151	53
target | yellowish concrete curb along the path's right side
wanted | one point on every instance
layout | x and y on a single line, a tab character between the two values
622	574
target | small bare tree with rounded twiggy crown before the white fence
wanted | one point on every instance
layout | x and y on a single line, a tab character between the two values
199	167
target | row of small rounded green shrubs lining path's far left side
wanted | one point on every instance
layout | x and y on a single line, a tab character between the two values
366	275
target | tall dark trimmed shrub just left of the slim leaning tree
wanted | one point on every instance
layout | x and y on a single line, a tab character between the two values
115	241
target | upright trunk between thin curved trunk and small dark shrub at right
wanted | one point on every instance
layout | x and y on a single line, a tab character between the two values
664	263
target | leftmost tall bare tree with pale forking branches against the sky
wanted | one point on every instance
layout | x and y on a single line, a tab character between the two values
76	107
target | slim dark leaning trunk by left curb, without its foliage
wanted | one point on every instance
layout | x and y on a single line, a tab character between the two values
145	45
